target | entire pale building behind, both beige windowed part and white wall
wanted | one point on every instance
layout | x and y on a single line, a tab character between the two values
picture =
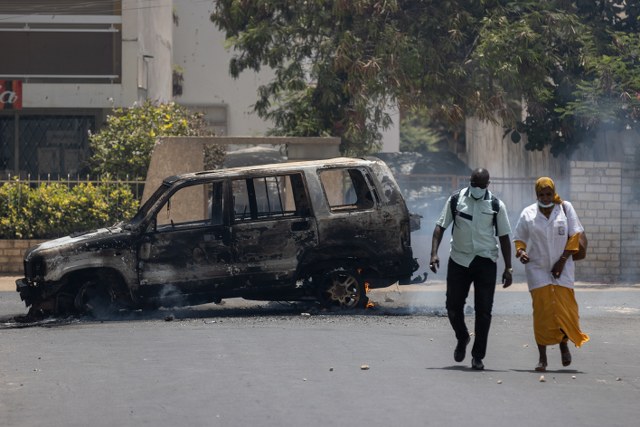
66	65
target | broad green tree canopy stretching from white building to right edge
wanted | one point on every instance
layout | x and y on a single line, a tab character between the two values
349	60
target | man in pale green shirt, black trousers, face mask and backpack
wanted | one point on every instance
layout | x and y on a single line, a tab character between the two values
477	217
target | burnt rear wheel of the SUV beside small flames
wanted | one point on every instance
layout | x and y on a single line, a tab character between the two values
343	288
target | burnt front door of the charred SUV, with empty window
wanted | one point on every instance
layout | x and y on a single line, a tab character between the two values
188	248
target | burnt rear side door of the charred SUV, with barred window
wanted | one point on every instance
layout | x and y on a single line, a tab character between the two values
272	225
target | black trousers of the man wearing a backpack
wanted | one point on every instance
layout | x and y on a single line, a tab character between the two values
482	273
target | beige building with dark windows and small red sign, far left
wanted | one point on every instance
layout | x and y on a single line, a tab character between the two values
65	66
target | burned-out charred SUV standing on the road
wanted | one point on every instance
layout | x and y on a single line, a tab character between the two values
317	230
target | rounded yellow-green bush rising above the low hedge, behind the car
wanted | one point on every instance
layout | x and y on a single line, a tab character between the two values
124	146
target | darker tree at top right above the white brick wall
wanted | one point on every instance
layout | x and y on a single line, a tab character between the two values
592	74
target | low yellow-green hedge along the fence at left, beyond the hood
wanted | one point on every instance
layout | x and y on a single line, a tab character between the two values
58	209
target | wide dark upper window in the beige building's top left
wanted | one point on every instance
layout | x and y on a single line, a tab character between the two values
58	41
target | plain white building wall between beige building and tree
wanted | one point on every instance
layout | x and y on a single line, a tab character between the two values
202	58
